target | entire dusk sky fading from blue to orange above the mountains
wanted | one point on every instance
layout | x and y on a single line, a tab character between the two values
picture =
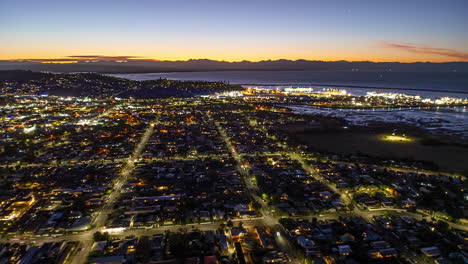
234	30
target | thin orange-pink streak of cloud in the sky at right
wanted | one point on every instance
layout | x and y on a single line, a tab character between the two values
423	49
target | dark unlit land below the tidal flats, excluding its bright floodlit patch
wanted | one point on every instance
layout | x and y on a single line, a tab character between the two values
446	153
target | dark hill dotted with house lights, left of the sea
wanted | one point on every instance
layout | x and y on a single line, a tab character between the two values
96	85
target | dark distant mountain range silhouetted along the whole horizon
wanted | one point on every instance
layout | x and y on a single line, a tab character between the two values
151	66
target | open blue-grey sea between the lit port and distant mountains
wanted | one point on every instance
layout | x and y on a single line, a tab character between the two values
431	84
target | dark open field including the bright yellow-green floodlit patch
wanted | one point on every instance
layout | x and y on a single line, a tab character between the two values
448	158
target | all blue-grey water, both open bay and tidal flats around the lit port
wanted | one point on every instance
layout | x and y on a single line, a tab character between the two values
447	120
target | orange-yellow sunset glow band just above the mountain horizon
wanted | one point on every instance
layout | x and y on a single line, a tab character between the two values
228	52
